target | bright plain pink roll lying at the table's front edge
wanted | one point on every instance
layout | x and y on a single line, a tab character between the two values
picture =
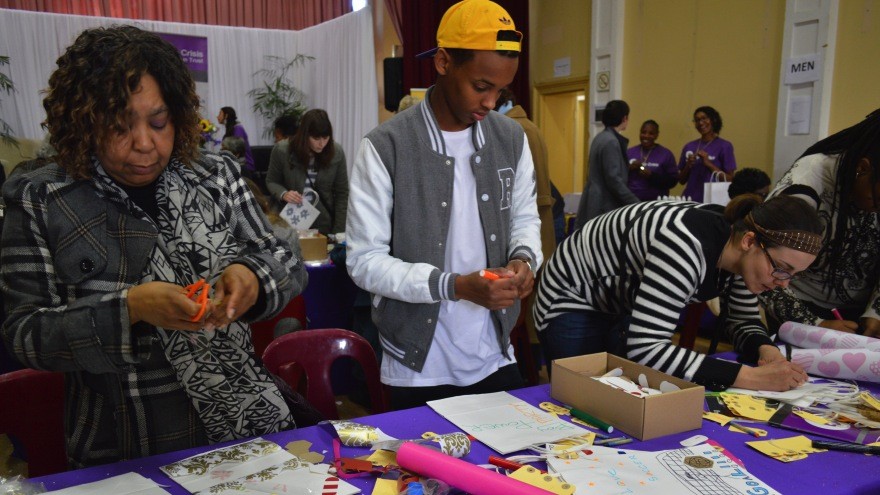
460	474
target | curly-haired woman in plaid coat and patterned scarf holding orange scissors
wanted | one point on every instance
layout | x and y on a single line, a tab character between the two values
98	247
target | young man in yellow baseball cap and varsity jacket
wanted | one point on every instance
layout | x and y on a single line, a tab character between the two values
443	227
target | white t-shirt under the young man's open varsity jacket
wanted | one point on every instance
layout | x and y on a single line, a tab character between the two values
465	347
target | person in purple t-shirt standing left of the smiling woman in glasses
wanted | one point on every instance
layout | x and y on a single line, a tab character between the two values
652	167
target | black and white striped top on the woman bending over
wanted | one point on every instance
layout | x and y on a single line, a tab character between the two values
650	260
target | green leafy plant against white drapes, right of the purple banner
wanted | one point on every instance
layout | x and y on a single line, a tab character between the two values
277	95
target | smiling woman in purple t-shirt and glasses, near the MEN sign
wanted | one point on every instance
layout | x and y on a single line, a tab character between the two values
709	154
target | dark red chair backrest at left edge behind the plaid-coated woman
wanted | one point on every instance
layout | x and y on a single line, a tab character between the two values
32	411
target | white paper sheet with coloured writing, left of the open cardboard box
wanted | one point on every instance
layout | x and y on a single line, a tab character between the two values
503	422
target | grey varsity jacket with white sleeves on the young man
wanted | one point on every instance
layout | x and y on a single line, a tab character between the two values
398	218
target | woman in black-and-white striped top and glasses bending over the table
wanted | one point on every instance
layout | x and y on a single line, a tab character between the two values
619	284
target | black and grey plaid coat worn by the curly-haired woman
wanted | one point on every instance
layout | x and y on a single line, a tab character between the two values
70	252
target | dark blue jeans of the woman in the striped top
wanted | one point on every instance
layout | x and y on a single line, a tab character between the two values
584	332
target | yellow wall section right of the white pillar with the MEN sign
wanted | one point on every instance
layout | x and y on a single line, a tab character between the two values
856	83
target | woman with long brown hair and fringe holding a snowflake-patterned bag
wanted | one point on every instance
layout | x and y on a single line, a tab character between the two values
311	161
